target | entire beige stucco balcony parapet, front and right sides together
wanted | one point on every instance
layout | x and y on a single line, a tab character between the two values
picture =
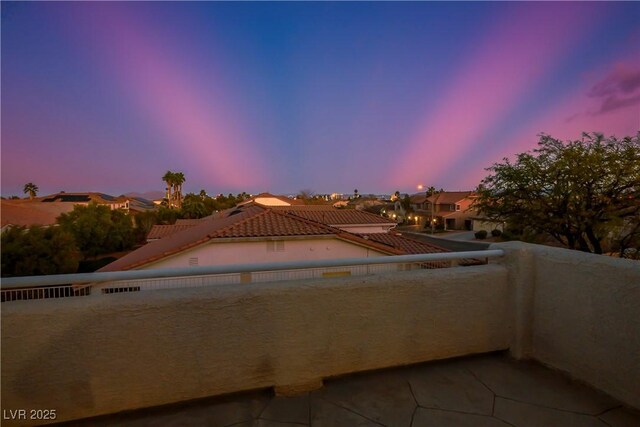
83	357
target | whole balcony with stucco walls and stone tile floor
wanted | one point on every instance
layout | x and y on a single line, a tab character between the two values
558	333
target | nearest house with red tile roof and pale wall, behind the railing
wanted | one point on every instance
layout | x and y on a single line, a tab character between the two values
252	233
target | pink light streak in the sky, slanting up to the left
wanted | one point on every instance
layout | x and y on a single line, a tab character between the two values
202	131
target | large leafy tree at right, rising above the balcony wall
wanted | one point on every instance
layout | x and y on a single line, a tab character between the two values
578	192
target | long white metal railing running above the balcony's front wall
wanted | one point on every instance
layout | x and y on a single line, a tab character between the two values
16	288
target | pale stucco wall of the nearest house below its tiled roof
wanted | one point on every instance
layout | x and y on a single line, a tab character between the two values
295	249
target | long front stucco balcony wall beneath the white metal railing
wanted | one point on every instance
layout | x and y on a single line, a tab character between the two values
91	356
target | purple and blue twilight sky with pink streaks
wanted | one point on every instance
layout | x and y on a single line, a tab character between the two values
287	96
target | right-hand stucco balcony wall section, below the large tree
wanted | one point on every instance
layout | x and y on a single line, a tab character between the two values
579	313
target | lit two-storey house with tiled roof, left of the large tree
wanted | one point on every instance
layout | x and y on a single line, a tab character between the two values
450	209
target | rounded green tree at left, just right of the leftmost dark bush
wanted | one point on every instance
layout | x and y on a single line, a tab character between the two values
98	230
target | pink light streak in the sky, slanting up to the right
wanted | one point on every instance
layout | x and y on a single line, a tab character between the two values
520	50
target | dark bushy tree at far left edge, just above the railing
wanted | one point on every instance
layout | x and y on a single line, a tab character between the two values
37	251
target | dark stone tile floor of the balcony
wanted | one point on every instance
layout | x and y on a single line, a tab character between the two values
487	390
